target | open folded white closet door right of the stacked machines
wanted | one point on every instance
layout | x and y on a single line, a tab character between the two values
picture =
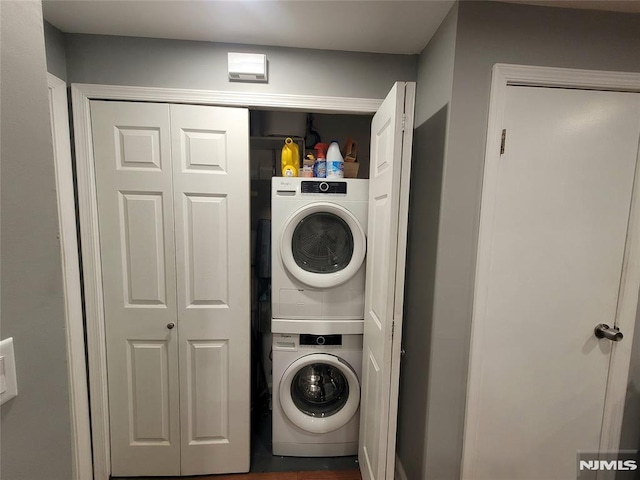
391	137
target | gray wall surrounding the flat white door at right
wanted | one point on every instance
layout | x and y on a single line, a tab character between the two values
489	33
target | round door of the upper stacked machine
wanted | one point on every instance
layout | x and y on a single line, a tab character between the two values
323	245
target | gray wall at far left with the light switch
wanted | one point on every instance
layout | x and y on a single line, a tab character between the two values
36	432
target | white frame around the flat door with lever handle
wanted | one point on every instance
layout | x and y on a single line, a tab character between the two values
504	75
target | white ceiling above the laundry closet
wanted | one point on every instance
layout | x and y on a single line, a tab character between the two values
379	26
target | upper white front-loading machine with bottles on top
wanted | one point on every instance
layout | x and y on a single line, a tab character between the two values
318	249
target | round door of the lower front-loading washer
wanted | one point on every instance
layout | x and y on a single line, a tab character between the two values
319	393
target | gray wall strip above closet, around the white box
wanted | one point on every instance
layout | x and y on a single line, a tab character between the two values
201	65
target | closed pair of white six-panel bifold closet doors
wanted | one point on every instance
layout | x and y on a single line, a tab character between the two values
173	207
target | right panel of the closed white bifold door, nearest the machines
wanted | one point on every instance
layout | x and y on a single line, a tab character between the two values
210	148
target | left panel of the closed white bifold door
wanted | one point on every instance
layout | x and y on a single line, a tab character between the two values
133	180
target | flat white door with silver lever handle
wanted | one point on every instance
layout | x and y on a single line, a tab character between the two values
550	261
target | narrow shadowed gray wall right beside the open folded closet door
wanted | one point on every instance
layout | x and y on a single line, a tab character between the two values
435	84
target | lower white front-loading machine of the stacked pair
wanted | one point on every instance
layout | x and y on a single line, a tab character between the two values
316	394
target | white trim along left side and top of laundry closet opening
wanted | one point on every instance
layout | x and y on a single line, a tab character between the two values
81	95
